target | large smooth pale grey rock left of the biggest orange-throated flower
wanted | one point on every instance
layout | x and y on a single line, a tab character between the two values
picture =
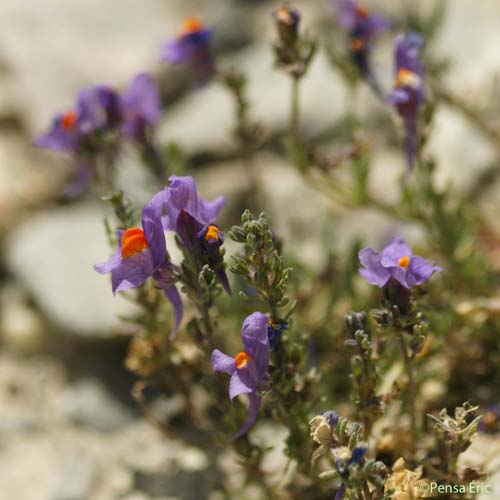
53	255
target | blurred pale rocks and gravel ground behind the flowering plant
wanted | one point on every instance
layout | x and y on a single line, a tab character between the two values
69	429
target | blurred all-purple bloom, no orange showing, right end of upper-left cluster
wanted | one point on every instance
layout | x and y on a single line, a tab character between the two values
140	107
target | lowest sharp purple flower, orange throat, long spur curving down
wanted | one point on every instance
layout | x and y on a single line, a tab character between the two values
249	367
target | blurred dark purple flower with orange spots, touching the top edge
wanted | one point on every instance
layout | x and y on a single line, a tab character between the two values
362	27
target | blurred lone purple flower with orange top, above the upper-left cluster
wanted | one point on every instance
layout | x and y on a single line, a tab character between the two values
192	46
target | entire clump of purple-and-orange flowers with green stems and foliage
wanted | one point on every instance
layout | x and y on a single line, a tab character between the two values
323	325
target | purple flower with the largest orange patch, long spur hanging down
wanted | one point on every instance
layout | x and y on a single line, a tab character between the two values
141	254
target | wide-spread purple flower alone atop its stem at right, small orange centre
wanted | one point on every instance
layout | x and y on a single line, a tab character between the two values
396	261
